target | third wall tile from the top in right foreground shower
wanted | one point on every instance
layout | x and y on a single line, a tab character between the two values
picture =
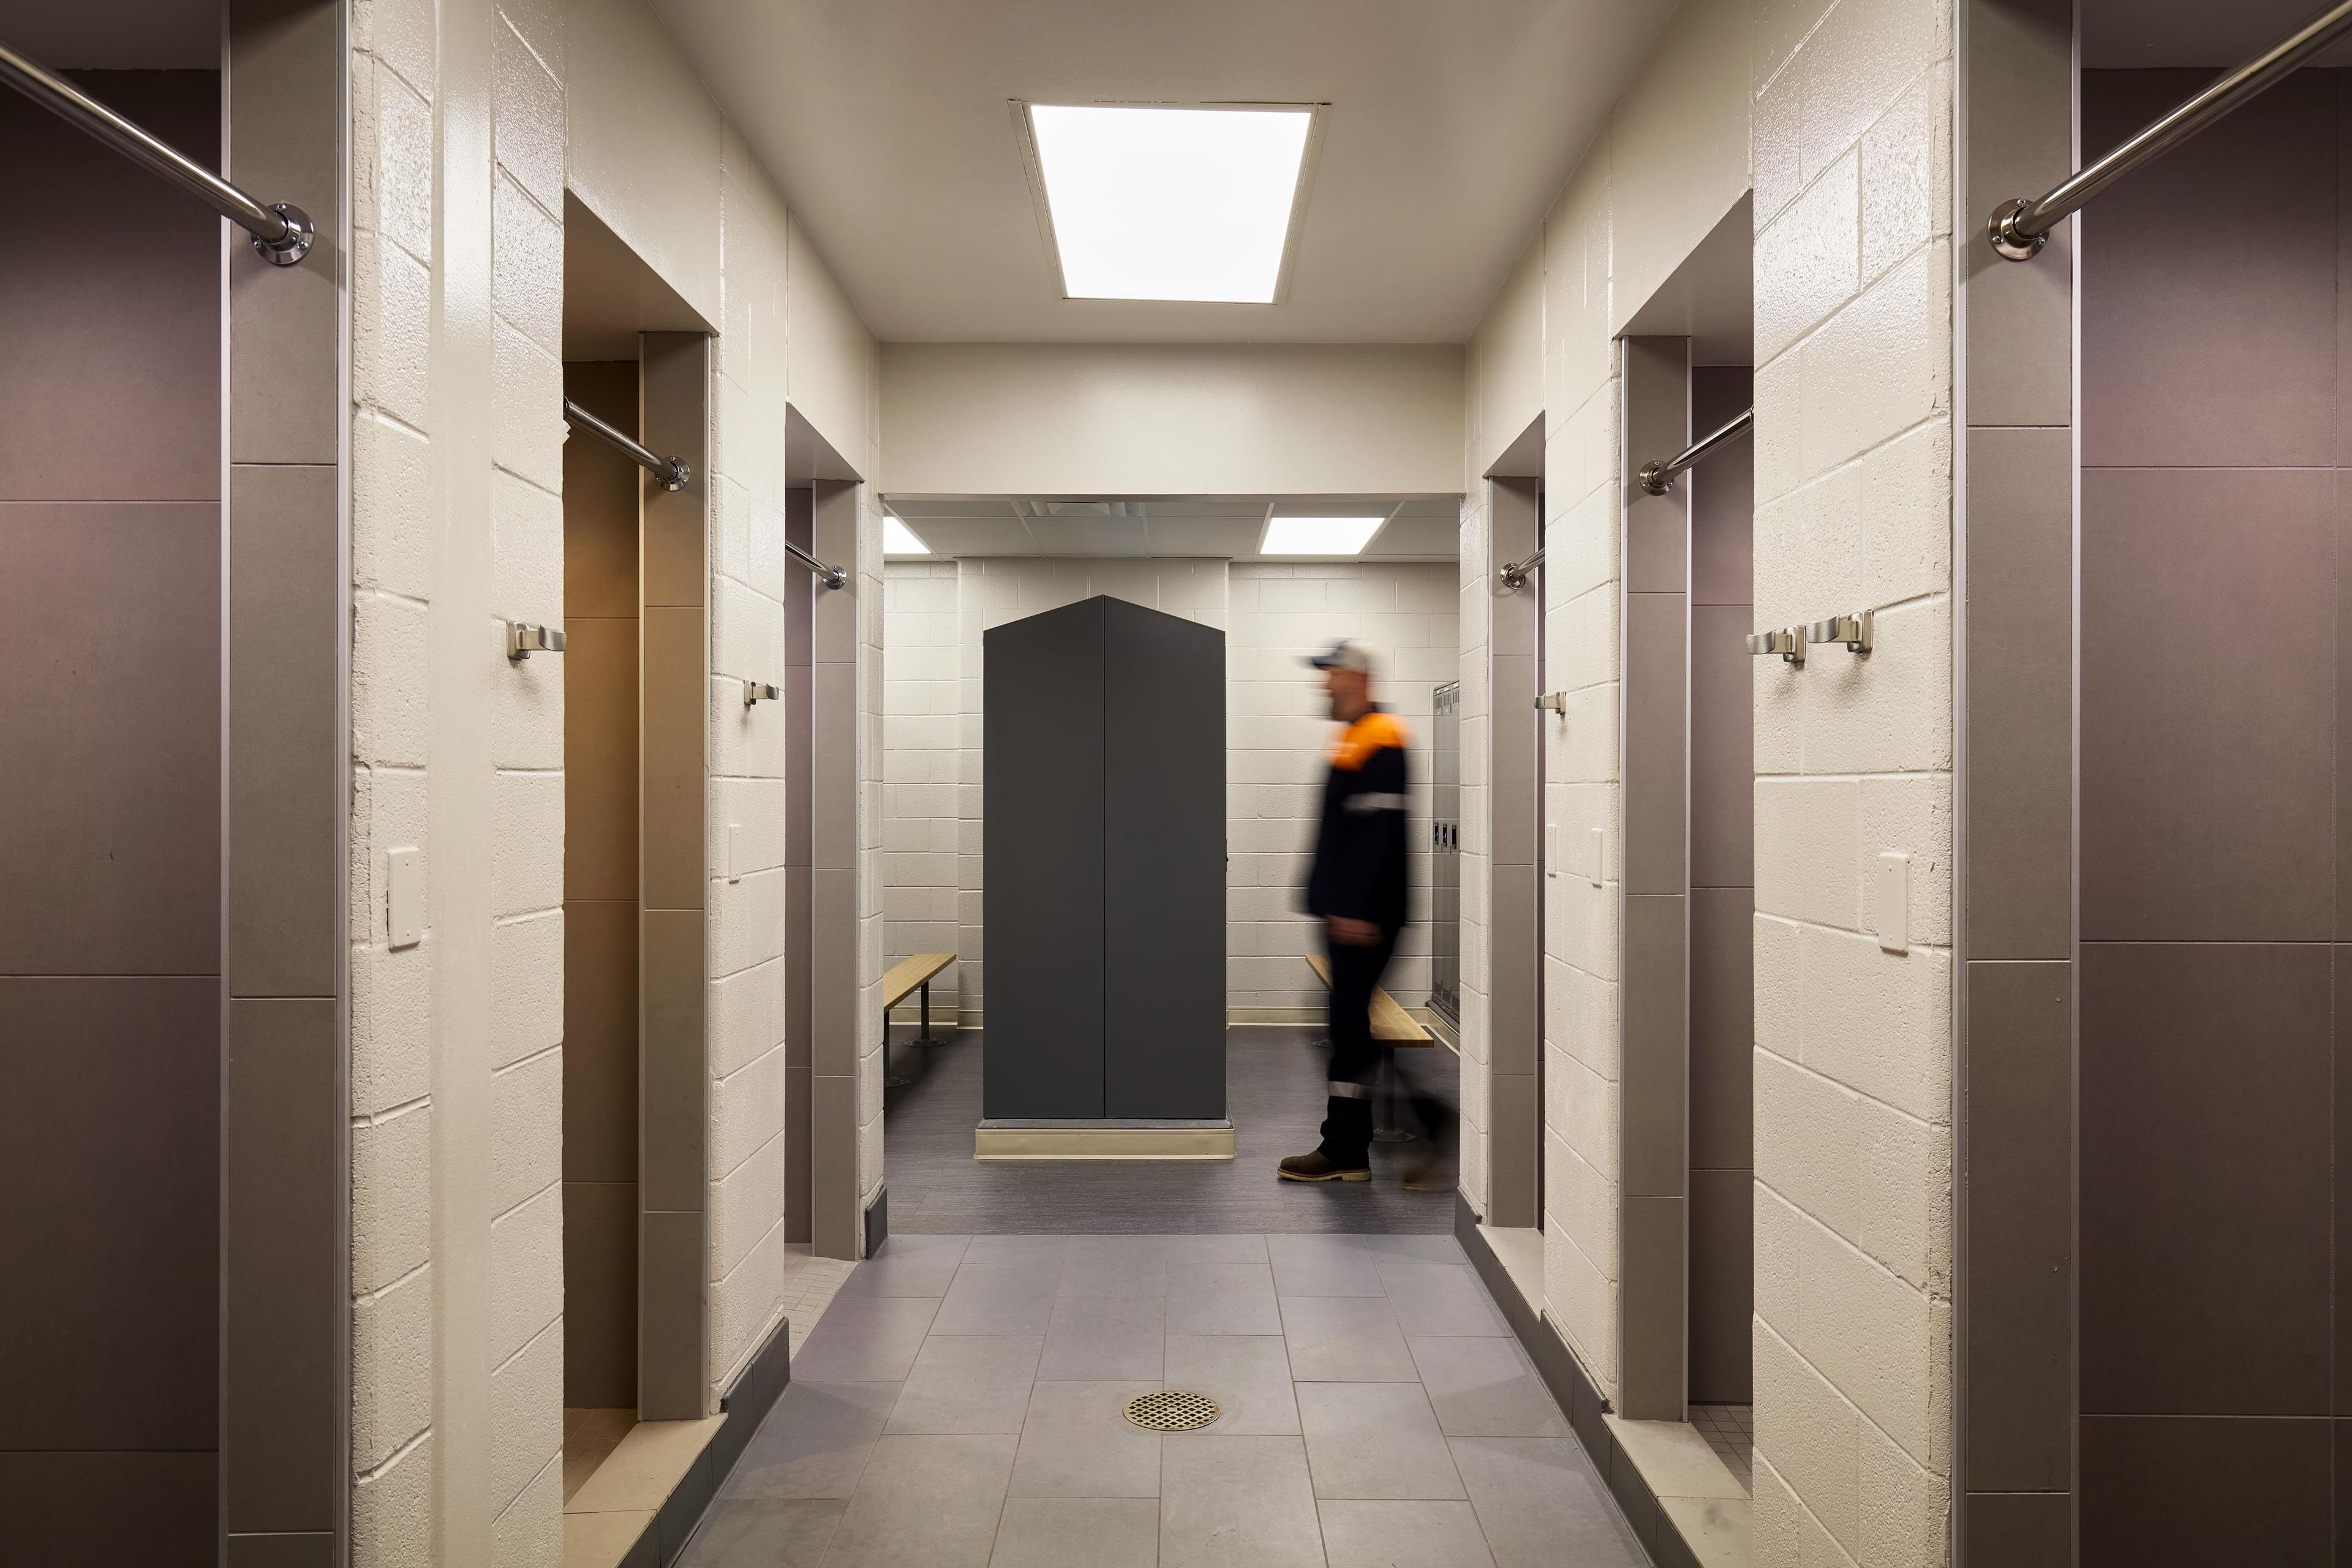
2207	1200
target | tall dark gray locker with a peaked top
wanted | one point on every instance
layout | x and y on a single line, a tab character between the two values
1104	857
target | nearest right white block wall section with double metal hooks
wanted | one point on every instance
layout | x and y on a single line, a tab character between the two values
1855	1045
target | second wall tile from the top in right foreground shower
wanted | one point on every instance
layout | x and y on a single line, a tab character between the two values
2207	704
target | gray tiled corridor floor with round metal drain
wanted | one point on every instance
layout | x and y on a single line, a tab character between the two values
961	1405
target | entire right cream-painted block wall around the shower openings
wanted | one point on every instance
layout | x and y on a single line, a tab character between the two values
1840	119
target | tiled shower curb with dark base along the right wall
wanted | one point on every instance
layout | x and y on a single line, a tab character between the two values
1685	1503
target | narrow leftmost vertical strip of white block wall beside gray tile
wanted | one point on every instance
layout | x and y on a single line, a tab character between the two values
392	1012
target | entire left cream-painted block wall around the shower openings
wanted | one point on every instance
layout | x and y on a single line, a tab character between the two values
467	133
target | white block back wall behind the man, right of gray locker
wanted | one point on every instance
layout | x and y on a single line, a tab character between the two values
1278	732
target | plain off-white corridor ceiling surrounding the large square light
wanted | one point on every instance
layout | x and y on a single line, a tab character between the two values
888	126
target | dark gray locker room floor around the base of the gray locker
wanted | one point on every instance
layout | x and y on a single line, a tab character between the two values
1274	1094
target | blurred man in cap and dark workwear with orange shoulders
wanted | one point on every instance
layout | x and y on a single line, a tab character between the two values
1358	890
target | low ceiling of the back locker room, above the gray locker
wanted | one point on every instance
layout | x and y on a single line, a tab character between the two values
1224	528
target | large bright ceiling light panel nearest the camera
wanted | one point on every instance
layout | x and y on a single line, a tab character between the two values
1170	203
